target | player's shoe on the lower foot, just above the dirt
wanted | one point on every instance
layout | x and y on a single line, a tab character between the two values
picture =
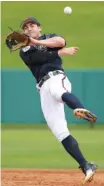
89	170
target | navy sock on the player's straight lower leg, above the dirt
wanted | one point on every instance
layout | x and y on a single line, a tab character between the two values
71	146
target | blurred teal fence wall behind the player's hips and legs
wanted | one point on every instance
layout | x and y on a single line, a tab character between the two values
21	104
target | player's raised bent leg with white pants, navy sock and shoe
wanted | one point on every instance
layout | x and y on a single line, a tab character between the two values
62	91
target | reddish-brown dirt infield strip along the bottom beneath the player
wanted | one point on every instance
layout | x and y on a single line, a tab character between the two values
33	177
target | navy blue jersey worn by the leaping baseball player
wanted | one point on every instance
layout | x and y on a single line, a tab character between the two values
39	68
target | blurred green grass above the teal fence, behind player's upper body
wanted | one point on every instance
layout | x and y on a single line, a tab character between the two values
84	28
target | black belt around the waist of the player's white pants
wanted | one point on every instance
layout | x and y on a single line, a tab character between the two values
49	76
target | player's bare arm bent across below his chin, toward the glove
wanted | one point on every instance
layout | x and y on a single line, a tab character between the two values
55	41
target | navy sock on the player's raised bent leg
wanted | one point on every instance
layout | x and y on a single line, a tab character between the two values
71	100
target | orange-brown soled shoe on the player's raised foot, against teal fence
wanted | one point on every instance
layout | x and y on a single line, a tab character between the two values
85	114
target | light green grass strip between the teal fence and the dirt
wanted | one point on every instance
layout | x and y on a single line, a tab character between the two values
34	146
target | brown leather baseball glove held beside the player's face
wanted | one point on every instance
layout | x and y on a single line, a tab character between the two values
16	40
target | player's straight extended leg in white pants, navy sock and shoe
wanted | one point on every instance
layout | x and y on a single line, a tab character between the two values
53	111
